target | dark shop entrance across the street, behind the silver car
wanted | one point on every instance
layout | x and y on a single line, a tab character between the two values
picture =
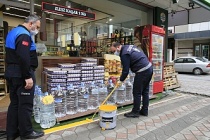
202	50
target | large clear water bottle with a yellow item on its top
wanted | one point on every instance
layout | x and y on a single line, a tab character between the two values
47	112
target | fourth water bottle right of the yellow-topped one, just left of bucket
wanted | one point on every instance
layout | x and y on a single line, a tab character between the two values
93	96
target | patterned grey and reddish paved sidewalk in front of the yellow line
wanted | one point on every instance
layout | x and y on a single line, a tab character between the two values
183	117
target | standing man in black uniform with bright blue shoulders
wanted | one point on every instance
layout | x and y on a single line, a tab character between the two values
21	61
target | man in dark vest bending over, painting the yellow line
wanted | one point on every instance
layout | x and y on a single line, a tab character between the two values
137	61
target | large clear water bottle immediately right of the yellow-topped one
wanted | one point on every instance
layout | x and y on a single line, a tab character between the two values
60	102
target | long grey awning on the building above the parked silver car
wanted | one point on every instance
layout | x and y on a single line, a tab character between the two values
192	35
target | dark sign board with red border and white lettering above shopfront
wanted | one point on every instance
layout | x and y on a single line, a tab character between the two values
59	9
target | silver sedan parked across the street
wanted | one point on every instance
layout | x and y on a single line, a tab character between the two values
196	65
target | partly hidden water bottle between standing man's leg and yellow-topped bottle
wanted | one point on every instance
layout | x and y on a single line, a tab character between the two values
36	106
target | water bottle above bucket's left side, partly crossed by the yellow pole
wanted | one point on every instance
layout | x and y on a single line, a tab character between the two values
102	91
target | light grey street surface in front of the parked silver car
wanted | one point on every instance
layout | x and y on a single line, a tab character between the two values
197	84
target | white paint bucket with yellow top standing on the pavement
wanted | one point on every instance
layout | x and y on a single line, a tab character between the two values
108	116
